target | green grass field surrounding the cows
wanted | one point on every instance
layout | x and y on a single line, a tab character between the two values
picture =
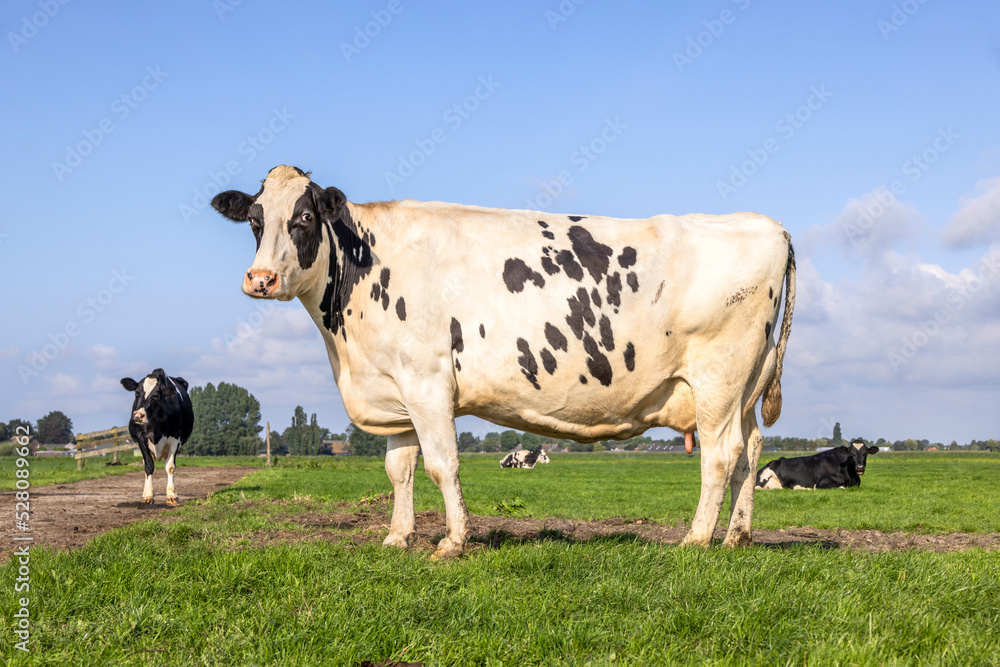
198	591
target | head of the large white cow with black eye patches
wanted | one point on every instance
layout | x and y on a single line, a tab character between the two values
288	216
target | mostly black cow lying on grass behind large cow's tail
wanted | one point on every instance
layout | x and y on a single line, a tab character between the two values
833	469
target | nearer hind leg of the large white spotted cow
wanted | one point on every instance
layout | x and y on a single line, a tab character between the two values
721	447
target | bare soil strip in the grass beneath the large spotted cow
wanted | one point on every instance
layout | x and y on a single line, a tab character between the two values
370	523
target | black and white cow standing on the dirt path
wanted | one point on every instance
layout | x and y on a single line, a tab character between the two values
161	421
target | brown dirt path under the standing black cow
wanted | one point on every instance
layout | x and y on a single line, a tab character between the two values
65	516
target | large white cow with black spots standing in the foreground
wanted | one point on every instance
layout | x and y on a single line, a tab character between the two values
568	326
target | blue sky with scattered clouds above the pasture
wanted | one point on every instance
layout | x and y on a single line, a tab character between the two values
869	129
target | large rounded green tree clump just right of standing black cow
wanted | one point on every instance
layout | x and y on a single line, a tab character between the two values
226	421
